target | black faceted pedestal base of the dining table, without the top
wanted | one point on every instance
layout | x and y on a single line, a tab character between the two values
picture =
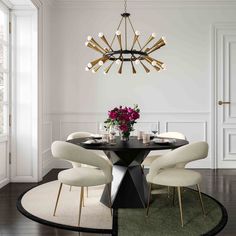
129	186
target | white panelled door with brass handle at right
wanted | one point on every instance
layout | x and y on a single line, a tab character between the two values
225	102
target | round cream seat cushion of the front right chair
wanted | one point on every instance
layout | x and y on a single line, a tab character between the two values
177	177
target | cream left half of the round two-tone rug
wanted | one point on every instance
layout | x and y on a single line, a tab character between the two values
39	202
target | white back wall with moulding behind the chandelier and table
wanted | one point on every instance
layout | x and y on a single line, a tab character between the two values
178	98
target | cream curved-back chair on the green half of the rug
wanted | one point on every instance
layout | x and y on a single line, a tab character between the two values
160	174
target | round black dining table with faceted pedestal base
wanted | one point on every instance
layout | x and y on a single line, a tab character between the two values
129	187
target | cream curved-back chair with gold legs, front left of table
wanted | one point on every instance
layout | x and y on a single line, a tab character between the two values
82	176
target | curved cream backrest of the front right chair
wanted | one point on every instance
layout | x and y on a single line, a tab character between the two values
184	154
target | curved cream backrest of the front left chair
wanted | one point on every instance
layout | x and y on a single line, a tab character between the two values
75	153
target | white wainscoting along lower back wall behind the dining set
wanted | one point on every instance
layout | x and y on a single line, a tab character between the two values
58	126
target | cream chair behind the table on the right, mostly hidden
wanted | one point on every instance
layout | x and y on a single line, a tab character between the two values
150	158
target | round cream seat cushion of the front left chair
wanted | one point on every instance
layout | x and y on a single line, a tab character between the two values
83	176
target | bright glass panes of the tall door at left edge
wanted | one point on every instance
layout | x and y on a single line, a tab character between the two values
4	67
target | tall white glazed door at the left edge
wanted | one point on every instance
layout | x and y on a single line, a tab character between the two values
4	95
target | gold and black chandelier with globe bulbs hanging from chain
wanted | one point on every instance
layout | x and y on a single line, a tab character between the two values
125	53
